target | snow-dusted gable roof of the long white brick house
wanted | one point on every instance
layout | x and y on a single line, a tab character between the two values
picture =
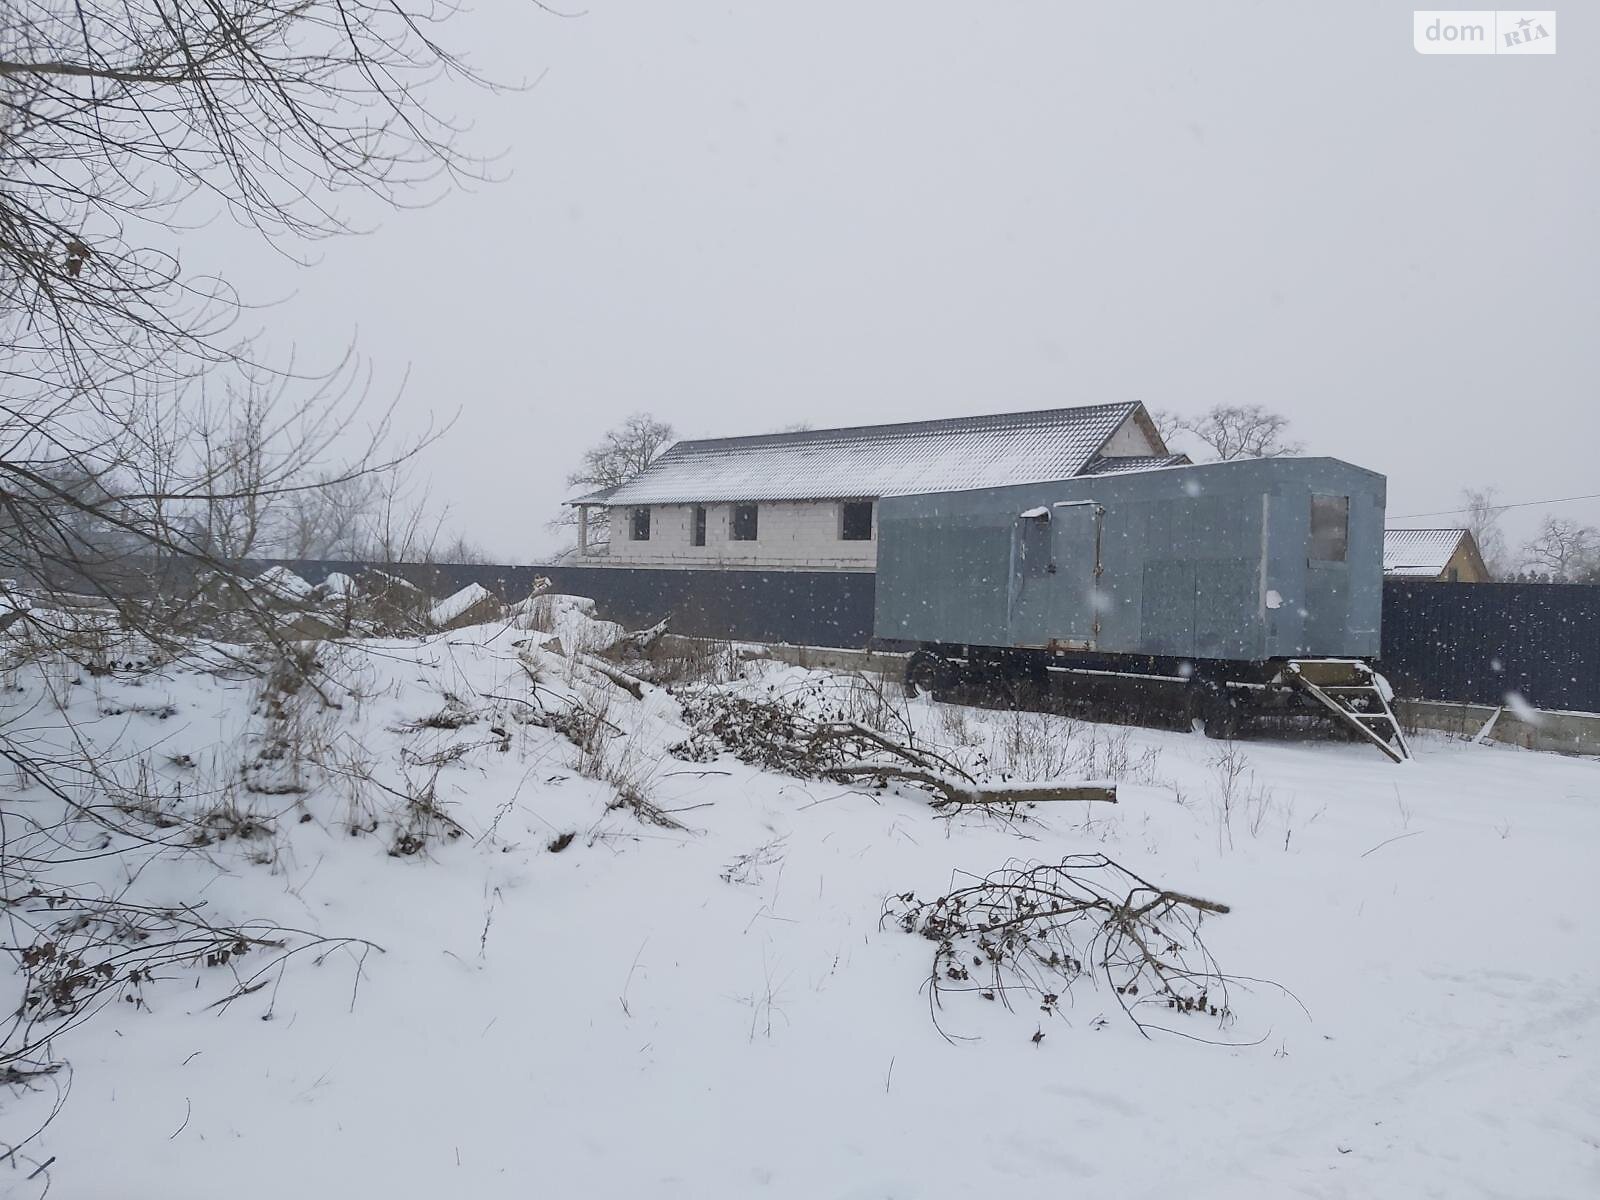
868	462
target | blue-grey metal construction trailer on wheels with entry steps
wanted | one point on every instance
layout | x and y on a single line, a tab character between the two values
1250	586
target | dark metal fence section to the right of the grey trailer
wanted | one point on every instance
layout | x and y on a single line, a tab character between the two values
1479	642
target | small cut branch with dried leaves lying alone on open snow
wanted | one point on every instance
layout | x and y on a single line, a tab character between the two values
1036	930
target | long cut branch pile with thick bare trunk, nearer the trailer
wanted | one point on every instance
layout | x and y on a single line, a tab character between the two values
780	734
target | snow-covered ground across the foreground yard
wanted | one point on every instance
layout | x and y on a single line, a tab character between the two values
716	1012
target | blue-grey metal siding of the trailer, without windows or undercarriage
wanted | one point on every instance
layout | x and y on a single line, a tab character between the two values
1190	558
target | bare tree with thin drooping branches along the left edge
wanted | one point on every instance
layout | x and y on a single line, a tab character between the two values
126	455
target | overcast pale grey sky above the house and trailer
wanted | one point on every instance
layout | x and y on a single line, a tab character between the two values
746	215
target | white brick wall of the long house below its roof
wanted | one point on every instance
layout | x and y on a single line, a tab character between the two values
790	534
